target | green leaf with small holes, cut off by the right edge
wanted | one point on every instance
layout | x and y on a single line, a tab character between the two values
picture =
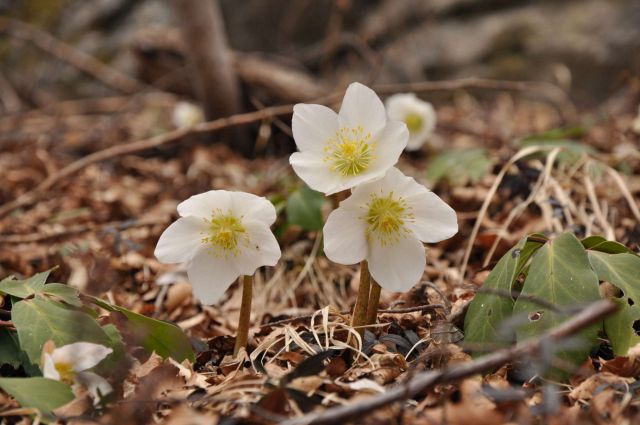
623	271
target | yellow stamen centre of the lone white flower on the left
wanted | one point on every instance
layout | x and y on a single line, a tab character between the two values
225	234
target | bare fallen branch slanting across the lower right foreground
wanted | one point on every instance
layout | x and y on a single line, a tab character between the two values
425	380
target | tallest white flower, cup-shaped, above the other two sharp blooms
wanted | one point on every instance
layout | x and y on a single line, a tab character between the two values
340	151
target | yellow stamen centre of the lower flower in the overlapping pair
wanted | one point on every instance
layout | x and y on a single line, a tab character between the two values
386	218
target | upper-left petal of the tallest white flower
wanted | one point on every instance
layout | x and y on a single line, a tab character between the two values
313	126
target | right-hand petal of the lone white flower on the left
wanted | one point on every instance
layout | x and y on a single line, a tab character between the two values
263	249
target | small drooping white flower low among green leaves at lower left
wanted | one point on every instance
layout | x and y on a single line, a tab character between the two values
70	364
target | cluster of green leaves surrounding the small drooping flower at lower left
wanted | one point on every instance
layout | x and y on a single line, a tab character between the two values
42	312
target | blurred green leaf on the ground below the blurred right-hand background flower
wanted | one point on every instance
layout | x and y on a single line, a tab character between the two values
459	166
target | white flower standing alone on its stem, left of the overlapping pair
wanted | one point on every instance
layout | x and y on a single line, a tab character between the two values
220	235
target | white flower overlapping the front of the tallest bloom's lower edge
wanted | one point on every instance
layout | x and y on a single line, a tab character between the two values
385	222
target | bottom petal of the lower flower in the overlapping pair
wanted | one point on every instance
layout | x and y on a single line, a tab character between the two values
398	266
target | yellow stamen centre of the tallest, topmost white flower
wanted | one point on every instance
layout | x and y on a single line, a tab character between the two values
350	151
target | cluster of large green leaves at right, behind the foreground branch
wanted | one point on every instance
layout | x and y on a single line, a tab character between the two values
539	283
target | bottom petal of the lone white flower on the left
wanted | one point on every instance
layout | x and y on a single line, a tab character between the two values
211	276
